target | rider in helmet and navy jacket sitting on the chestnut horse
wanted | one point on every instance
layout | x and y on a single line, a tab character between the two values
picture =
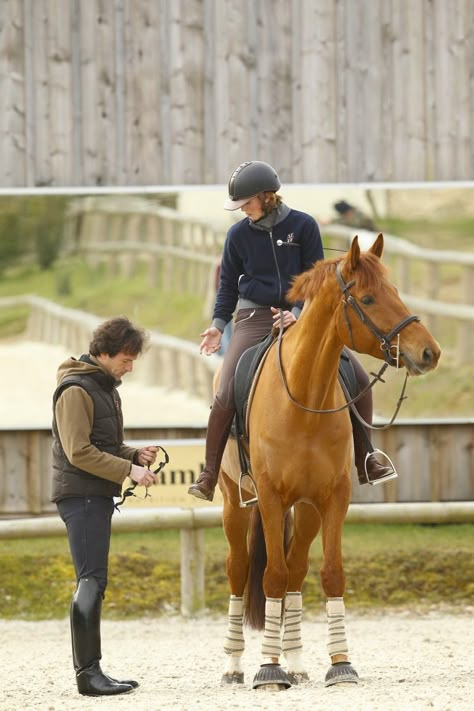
262	254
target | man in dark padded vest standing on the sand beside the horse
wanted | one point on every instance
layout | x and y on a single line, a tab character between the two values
90	463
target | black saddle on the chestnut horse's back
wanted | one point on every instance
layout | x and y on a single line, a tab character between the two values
246	377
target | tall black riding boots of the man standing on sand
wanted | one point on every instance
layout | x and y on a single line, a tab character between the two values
85	611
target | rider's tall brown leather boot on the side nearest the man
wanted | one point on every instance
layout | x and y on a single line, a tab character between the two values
218	428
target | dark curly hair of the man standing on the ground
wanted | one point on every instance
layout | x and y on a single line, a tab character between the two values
117	335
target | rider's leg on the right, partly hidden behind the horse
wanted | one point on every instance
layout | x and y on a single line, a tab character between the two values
368	468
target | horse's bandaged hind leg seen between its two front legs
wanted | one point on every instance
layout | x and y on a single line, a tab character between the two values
306	526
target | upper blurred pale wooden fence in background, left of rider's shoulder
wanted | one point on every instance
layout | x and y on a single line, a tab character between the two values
123	233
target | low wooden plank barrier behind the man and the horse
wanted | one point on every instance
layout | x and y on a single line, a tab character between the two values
434	460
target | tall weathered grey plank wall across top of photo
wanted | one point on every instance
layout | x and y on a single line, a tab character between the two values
153	92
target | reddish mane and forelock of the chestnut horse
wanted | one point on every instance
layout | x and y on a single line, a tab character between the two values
369	274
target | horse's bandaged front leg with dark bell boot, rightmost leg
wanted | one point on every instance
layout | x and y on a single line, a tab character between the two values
333	583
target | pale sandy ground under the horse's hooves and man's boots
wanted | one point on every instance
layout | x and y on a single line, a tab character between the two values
406	662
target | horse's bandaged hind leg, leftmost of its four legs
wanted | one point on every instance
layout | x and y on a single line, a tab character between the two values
235	523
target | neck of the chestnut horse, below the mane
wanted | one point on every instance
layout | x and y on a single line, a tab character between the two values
313	350
